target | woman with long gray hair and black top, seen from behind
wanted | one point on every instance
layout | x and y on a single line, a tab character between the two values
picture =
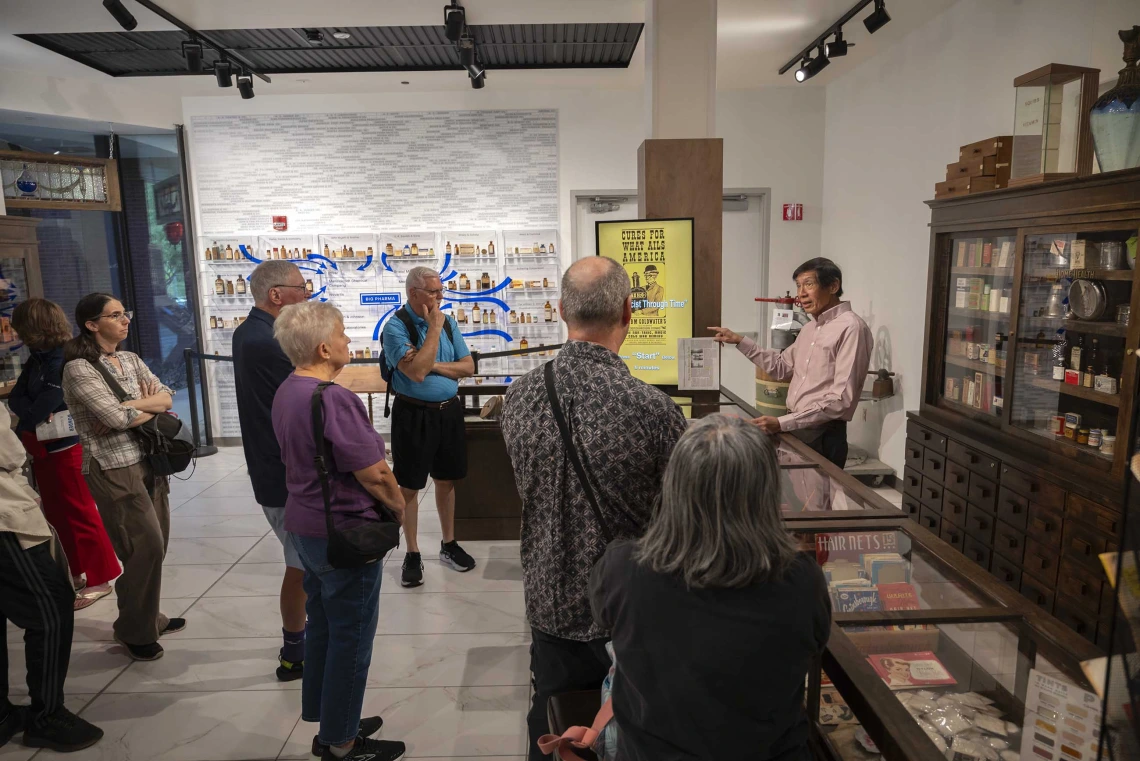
715	618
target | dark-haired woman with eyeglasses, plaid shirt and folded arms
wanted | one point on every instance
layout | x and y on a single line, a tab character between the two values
134	503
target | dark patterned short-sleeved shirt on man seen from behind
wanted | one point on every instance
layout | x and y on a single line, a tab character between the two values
625	431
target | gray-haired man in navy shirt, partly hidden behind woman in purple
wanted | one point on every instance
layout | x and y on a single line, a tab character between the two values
260	366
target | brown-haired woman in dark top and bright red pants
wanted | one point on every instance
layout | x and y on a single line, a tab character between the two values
38	399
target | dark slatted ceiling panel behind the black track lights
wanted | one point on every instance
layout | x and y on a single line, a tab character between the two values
369	48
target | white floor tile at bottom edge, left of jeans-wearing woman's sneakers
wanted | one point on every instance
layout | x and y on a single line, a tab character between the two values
189	726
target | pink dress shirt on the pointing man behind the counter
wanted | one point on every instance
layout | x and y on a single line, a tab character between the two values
827	367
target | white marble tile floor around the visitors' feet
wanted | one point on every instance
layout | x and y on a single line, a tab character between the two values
450	672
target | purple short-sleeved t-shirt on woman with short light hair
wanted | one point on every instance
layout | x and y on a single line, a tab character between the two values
352	444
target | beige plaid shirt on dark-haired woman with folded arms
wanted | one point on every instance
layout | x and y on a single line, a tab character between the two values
102	421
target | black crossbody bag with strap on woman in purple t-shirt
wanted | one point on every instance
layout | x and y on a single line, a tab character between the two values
360	542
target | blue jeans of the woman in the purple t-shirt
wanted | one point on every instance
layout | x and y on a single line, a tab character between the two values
343	608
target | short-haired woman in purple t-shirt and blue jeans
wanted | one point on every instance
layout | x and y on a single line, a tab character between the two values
344	604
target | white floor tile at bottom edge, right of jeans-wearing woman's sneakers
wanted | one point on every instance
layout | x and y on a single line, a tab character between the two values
442	722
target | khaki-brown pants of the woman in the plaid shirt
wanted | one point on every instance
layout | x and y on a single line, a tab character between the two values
136	512
